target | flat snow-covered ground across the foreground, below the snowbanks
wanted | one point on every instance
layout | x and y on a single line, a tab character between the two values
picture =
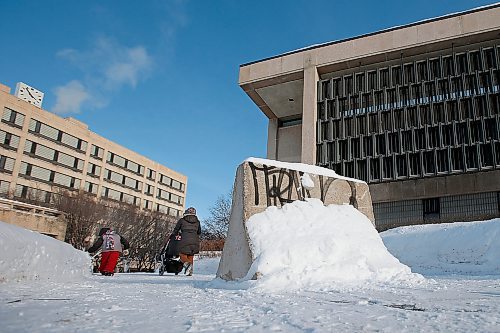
152	303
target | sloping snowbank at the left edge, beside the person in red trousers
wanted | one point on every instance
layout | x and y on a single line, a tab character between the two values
29	255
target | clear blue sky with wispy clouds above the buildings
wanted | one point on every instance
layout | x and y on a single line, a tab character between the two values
160	77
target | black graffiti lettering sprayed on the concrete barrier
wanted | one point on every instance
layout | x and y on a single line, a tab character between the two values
283	186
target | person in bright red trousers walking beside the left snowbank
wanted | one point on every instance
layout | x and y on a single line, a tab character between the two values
111	245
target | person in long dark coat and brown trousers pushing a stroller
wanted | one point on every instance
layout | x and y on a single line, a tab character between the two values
190	230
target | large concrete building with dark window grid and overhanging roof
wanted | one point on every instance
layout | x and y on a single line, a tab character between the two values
413	110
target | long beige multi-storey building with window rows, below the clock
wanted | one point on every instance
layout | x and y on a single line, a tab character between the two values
42	153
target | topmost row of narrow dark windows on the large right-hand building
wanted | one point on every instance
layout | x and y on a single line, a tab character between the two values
457	64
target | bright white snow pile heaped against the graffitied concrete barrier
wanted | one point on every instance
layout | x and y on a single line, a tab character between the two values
306	245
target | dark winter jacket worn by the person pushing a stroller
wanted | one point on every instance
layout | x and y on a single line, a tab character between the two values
190	231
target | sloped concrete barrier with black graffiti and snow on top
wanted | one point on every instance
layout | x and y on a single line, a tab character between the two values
261	183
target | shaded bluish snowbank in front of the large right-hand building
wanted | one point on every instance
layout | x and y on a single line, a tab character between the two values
470	248
